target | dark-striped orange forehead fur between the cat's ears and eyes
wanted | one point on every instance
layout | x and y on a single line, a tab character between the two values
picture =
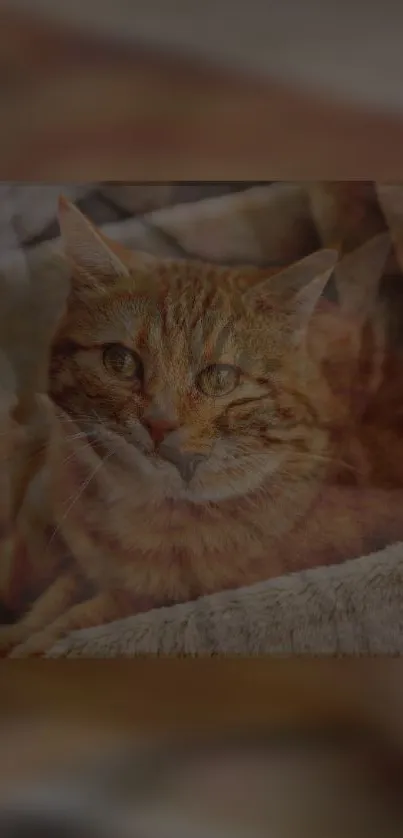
181	312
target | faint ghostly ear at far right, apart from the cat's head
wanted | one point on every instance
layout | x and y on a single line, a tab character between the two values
357	278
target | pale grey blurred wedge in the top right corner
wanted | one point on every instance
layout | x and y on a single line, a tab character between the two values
347	51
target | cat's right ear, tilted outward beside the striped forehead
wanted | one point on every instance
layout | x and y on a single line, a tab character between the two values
295	290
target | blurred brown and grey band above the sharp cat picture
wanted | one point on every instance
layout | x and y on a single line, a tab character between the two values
175	89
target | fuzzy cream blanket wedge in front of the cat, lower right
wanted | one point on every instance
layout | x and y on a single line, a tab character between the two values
349	609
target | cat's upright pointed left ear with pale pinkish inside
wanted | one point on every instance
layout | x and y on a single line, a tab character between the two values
96	260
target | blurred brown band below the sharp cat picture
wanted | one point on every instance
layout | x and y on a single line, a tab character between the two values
206	749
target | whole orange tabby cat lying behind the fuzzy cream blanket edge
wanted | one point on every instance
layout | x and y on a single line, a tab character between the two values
192	431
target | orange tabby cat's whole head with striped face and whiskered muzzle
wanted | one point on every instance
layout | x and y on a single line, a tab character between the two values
201	393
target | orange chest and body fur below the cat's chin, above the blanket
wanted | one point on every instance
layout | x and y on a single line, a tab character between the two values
170	551
